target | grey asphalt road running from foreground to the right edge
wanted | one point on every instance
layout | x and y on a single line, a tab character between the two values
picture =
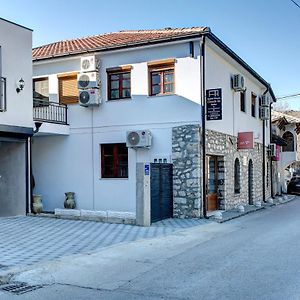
254	257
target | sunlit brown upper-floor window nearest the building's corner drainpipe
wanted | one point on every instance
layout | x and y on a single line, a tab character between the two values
162	80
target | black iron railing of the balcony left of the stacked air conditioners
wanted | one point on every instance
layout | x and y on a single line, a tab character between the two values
50	112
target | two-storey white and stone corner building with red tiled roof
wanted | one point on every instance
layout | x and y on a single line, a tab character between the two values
154	81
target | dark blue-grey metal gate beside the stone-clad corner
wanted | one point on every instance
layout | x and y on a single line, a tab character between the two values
161	180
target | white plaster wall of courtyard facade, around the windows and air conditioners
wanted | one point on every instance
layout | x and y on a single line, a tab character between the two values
75	161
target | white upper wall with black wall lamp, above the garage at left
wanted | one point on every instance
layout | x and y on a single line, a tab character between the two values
16	47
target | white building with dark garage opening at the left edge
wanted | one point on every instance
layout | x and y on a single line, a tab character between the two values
16	125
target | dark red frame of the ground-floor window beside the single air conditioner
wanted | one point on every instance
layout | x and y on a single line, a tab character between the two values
116	161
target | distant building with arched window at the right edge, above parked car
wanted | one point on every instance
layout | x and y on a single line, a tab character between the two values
285	129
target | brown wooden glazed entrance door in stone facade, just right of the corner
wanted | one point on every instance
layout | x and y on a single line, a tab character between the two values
212	183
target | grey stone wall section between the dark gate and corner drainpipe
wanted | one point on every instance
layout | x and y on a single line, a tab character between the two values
187	171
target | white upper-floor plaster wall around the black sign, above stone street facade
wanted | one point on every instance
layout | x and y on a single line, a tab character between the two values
219	69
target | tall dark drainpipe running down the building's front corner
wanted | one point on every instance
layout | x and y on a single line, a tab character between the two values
203	108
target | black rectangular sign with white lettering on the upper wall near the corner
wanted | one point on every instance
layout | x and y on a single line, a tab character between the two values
214	104
